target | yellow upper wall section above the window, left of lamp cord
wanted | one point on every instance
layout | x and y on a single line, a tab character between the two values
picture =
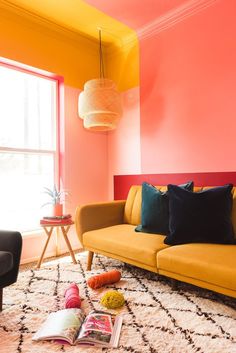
54	51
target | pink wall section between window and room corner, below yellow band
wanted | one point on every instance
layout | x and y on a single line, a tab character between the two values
84	161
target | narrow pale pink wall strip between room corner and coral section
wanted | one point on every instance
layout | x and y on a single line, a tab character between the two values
124	142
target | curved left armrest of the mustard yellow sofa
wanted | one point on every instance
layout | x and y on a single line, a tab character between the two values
98	215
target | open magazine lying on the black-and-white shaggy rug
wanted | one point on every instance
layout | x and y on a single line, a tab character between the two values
98	328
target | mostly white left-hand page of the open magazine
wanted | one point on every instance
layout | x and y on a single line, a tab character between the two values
62	325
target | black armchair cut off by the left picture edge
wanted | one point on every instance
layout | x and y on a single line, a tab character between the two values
10	252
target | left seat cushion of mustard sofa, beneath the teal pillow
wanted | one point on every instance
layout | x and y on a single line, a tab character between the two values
122	240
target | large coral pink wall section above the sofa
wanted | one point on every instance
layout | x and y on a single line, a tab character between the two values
187	92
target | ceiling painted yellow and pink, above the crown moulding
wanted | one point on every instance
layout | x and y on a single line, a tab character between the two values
118	18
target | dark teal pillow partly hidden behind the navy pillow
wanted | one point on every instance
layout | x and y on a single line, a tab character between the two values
155	209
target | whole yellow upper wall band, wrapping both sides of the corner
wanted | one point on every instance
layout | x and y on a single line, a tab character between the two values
48	46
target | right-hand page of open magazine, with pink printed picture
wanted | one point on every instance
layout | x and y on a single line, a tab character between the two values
99	328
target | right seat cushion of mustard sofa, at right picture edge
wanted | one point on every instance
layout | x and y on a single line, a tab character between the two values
211	263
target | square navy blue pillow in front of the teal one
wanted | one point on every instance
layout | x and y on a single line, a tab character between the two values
201	217
